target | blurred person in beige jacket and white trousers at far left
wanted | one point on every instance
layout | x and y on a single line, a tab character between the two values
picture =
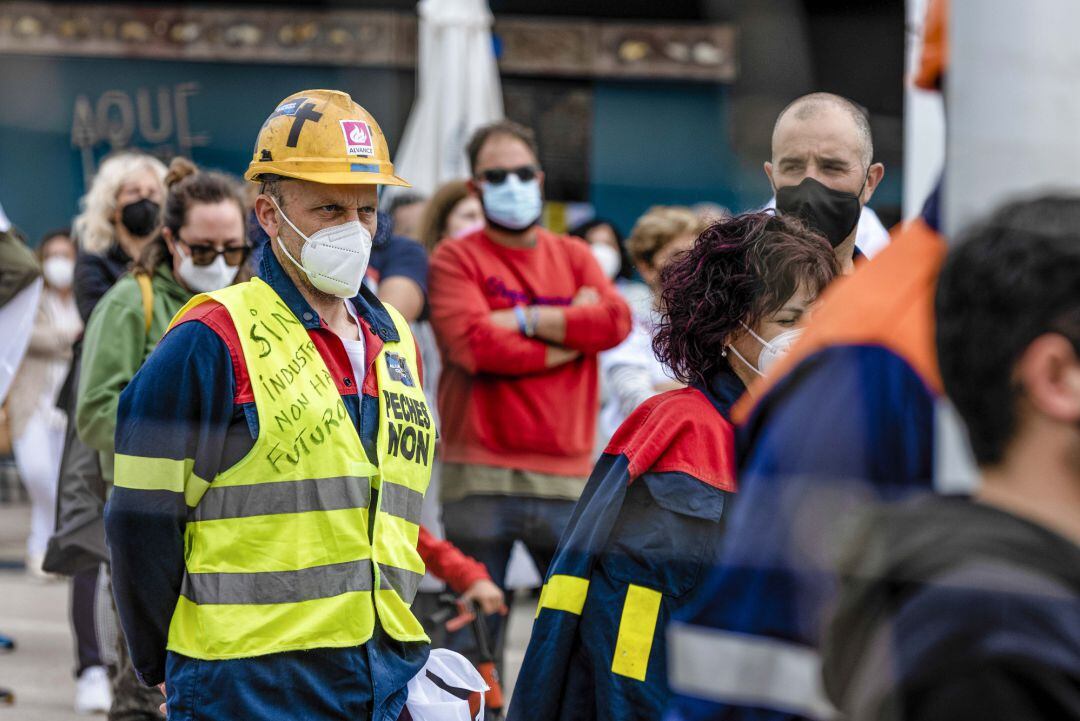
37	424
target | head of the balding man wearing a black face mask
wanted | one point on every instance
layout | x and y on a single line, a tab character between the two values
822	168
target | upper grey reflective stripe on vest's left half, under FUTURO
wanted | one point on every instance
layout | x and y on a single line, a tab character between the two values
283	498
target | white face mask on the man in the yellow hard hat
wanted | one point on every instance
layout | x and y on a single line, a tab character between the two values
335	259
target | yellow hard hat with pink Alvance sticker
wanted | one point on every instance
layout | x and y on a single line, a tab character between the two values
323	137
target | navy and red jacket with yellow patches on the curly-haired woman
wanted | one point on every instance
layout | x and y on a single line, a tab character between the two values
645	532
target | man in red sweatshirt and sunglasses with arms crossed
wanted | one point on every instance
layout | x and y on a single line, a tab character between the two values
520	315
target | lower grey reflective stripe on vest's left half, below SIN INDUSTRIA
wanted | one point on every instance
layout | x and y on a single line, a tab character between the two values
279	587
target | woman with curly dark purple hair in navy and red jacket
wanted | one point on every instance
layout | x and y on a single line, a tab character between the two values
650	522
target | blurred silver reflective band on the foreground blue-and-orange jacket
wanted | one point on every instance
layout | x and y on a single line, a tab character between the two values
747	671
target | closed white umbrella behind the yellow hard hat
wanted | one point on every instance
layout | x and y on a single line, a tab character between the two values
457	92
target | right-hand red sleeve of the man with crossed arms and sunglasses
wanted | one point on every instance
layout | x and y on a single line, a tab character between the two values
596	329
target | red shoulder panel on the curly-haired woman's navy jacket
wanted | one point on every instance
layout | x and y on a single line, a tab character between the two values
679	431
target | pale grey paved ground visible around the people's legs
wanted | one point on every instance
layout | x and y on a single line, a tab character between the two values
36	615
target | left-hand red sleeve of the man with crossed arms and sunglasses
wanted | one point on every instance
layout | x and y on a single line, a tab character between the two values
461	317
